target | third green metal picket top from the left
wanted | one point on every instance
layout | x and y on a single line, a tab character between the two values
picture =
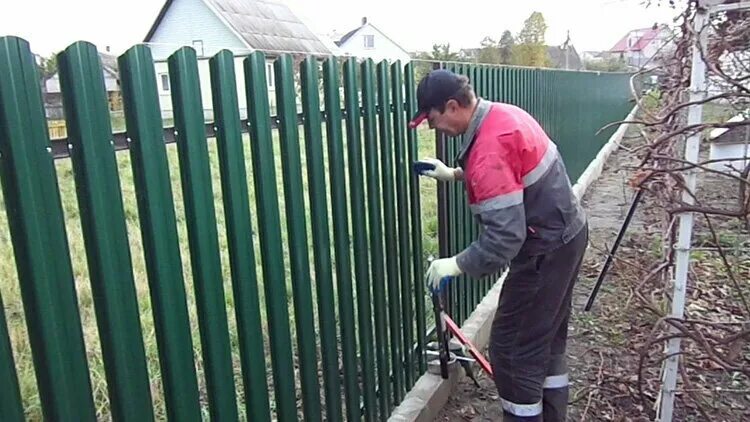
159	231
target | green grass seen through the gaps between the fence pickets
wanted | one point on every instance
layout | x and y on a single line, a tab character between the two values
11	296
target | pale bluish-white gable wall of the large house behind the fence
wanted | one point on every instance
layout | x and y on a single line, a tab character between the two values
187	21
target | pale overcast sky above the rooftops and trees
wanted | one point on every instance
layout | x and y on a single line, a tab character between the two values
51	25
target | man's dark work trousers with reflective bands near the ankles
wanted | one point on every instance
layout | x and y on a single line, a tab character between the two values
530	330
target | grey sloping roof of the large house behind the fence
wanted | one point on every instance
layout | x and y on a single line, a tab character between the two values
267	25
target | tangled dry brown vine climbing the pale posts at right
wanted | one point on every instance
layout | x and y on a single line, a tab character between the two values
662	171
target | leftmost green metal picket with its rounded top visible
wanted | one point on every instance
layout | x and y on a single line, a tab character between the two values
40	245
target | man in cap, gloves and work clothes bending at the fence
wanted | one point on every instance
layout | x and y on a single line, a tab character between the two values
520	194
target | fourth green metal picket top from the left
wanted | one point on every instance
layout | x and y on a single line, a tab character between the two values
205	261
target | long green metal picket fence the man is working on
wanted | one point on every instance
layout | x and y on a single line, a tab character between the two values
312	310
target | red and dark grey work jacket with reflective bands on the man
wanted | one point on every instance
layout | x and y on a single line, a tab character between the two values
517	187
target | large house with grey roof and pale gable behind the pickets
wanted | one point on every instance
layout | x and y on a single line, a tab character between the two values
241	26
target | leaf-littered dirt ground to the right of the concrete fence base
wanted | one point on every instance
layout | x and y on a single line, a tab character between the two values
605	344
